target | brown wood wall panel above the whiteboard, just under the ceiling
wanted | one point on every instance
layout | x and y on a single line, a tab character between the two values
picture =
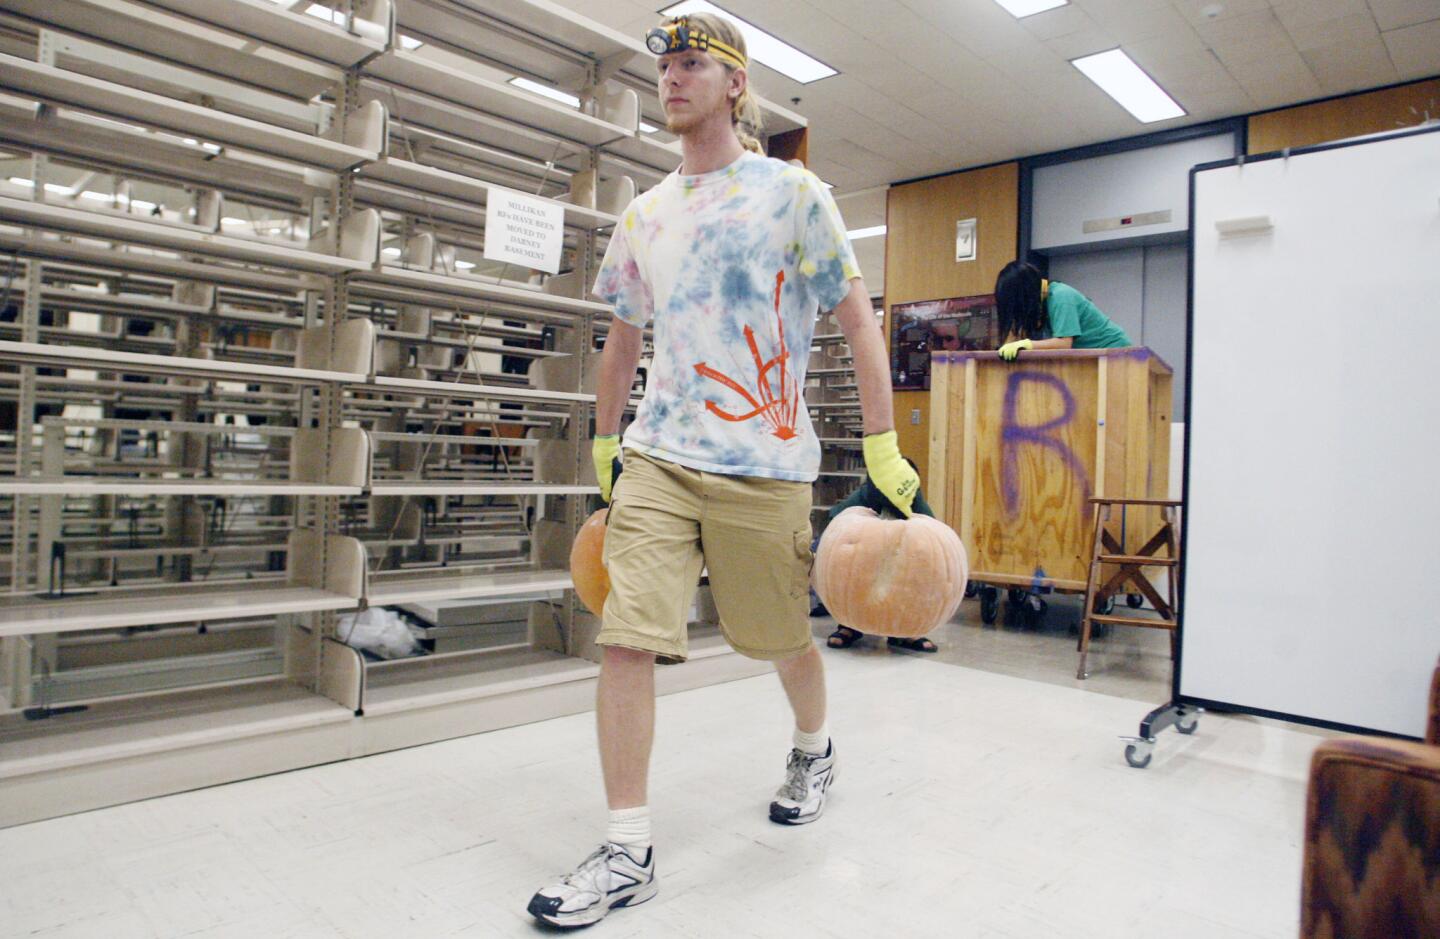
1343	117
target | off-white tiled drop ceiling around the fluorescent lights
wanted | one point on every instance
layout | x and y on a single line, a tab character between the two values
934	86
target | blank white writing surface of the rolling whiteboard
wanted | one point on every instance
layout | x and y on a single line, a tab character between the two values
1313	502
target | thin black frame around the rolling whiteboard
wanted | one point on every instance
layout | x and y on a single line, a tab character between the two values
1177	675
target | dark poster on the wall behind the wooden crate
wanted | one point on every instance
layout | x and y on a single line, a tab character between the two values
918	329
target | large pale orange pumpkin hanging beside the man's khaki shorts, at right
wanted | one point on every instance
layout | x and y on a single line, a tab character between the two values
891	577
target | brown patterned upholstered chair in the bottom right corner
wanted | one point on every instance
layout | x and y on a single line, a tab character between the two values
1373	837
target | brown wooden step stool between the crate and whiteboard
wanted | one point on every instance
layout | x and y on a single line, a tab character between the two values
1131	572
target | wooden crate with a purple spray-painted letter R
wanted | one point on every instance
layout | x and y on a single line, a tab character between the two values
1019	449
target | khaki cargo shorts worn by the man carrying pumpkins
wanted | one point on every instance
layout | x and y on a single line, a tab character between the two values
751	534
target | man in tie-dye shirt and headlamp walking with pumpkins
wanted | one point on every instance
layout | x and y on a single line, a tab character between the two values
732	257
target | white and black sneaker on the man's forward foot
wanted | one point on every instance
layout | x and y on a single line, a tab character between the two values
608	879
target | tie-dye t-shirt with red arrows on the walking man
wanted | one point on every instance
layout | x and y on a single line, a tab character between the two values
732	267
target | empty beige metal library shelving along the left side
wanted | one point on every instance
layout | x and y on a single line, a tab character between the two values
257	374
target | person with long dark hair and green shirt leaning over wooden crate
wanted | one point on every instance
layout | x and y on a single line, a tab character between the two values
1036	313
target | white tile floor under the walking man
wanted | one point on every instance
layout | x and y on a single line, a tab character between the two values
968	804
